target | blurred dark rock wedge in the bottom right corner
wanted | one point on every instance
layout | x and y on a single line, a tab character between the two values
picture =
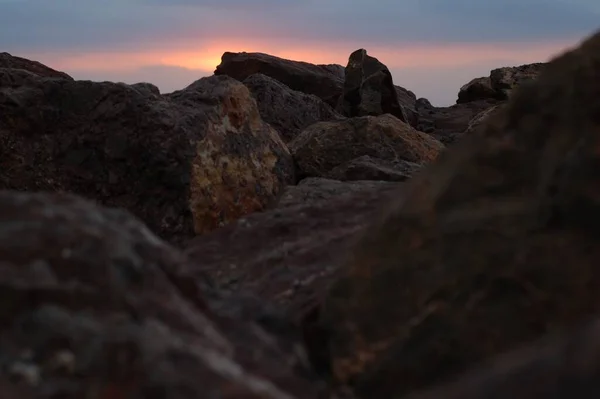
563	367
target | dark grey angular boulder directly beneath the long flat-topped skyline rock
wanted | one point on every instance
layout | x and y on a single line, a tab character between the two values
286	110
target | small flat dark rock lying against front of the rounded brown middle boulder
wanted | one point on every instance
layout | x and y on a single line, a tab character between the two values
369	168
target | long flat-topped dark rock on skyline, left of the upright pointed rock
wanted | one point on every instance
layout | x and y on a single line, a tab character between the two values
324	81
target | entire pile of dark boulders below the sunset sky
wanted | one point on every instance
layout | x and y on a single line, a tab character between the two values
285	230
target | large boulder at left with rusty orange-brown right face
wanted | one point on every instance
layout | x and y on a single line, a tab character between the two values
184	163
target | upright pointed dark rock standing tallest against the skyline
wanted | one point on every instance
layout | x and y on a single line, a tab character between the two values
369	89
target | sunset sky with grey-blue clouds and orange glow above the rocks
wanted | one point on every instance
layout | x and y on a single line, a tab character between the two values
432	47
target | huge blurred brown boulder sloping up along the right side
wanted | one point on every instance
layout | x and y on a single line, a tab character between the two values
492	246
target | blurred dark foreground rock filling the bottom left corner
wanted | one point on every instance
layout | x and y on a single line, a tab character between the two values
93	306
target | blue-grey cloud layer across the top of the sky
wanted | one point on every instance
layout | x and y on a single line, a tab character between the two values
90	24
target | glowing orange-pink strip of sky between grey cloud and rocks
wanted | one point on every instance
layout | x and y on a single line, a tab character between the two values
441	89
